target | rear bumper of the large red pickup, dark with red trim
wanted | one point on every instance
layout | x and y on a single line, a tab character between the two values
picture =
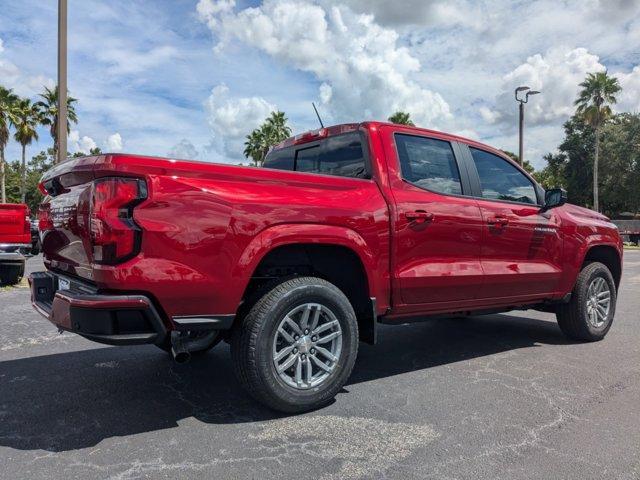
110	319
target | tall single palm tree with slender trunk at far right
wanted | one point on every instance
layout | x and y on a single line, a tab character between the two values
594	106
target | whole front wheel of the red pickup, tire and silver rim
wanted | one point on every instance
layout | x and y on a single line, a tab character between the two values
589	314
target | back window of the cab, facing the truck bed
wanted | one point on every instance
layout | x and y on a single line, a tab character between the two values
341	155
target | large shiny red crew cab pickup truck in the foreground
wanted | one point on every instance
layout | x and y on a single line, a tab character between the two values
295	263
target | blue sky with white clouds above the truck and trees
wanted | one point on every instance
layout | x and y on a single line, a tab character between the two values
189	78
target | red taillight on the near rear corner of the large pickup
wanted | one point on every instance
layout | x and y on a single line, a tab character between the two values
114	234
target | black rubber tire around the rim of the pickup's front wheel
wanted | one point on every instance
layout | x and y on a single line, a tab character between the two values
573	318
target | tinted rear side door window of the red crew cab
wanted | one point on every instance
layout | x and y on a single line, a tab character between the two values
429	163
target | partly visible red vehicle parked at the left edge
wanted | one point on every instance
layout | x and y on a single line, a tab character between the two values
15	235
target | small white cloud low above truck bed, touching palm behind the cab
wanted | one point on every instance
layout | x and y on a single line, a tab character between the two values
231	119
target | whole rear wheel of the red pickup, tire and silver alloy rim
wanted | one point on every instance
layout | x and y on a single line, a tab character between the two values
296	347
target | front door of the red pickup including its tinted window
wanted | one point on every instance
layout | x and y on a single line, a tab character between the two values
521	245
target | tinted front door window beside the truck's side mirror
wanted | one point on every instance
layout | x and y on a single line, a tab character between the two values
500	180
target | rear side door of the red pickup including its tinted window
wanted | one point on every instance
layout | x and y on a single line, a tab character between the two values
436	228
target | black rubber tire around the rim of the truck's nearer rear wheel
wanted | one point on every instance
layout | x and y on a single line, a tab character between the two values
252	343
